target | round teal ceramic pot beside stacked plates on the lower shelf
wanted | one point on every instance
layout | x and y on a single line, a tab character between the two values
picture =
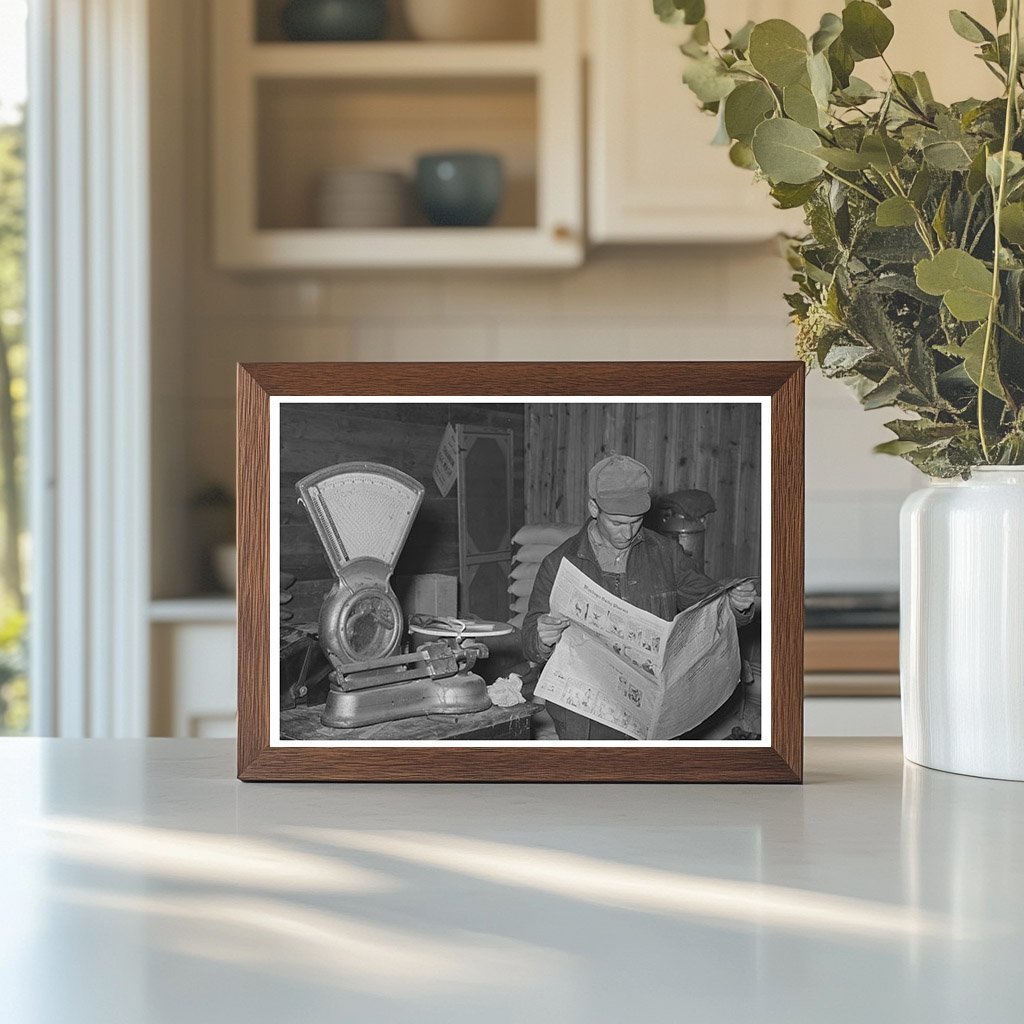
460	190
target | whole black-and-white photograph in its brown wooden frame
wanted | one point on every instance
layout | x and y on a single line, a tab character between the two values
521	572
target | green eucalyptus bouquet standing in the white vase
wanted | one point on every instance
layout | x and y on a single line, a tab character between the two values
911	278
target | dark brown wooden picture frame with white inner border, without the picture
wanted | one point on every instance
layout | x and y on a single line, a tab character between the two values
780	389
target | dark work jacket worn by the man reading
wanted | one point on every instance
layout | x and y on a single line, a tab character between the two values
660	578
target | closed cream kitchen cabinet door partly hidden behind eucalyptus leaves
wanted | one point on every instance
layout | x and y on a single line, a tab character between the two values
653	175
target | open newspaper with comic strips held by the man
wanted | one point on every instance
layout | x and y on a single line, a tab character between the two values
633	671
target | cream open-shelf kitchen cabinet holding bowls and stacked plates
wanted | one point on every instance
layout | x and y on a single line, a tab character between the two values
287	113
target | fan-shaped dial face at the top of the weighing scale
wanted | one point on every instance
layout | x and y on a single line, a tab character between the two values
362	510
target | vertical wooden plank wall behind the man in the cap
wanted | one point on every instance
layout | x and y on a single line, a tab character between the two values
714	448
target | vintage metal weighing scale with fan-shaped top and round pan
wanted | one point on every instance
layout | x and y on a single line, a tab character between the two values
363	514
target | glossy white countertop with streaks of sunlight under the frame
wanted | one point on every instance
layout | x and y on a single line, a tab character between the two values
143	884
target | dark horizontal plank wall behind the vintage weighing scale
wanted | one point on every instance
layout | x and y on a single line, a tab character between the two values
403	436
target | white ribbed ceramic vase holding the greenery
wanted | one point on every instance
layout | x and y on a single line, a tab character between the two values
962	624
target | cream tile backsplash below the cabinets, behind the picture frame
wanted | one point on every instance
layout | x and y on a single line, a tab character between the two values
708	304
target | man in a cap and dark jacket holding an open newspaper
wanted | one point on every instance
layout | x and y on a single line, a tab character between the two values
626	670
